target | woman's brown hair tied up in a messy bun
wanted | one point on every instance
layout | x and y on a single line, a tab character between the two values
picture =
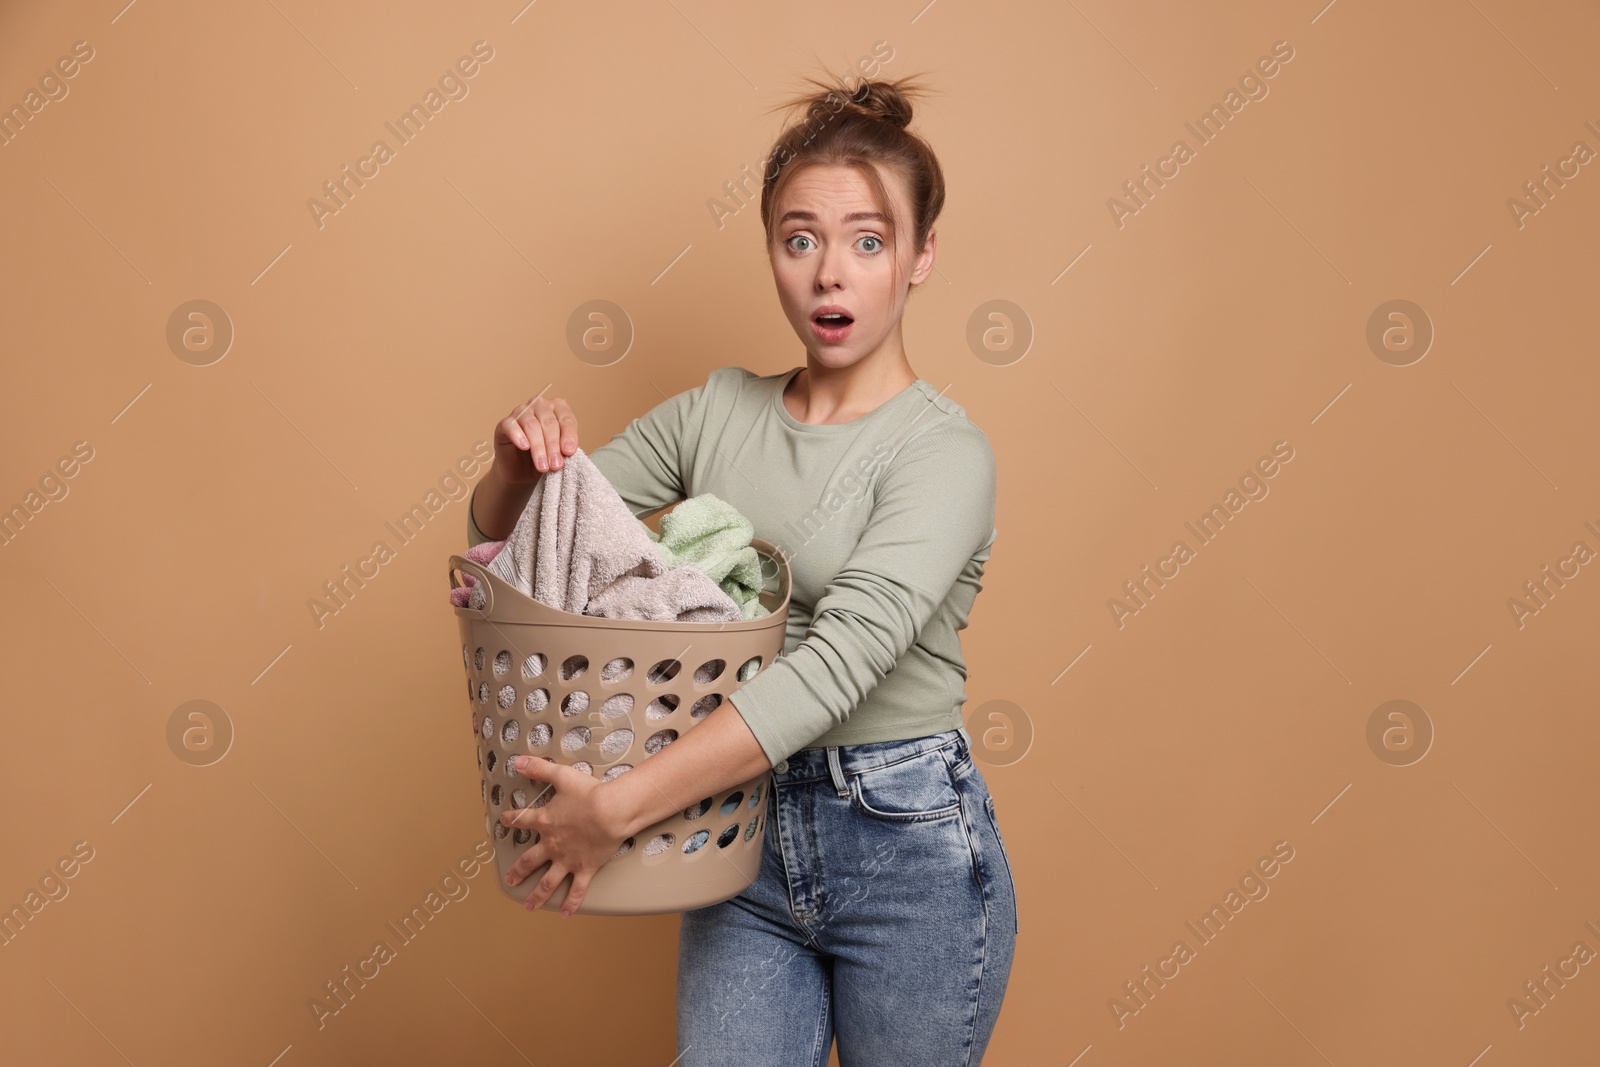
862	127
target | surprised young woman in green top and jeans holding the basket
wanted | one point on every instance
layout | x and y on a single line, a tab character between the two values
884	909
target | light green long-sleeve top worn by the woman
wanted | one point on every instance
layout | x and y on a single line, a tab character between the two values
887	522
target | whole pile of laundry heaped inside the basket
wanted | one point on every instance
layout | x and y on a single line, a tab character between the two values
577	548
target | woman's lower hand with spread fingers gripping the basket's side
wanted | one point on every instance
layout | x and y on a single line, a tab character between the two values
574	833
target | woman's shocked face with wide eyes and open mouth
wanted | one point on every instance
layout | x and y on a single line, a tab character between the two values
834	252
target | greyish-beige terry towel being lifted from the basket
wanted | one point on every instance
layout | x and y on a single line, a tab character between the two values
577	548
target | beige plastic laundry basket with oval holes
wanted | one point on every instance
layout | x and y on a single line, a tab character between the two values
604	695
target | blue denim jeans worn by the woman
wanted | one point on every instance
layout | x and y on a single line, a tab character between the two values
884	911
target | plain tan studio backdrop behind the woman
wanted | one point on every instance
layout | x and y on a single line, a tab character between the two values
1135	789
